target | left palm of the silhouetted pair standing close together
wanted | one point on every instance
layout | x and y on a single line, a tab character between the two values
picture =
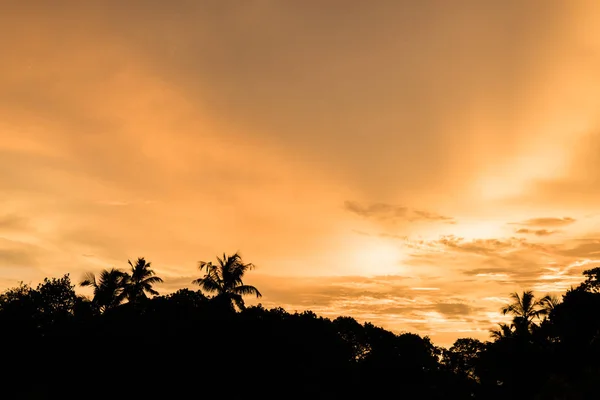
109	288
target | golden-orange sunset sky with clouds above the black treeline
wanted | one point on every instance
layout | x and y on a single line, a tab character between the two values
405	163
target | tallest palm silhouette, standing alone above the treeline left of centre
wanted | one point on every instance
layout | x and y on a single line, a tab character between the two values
225	279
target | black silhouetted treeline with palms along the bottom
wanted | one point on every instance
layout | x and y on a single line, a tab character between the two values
128	341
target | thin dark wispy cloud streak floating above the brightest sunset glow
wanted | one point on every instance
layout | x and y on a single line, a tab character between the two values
388	212
